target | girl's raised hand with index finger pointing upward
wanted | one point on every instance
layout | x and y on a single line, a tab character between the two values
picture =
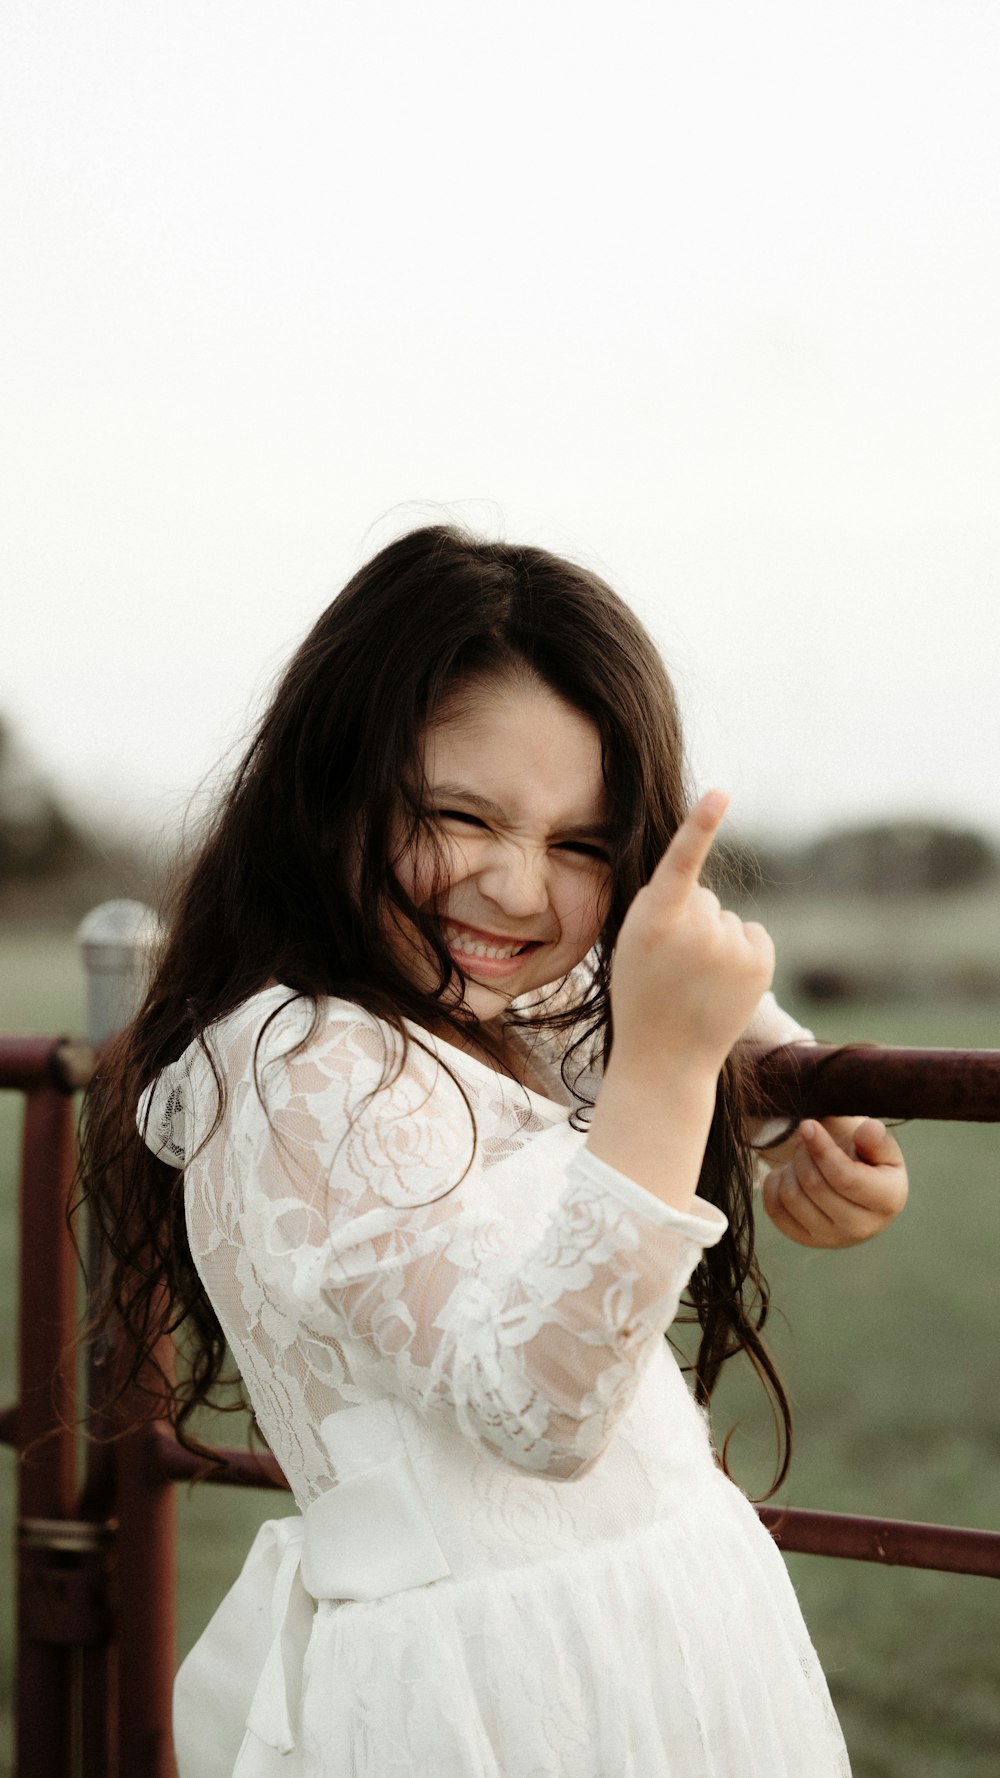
686	973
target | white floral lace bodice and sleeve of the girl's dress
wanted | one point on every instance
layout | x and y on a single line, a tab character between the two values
357	1244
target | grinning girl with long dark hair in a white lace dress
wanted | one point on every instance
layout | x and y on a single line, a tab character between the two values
392	1157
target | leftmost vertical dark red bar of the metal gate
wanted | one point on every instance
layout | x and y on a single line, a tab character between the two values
47	1407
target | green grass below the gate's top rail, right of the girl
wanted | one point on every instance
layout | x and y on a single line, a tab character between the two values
891	1358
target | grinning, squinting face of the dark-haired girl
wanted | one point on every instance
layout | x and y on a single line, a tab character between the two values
515	781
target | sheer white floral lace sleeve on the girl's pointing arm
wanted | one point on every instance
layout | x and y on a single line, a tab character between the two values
375	1221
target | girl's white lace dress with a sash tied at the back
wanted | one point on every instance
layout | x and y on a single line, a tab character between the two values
515	1555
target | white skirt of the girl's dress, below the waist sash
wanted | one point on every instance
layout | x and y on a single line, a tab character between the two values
672	1653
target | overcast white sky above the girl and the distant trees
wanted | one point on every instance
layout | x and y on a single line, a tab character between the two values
706	296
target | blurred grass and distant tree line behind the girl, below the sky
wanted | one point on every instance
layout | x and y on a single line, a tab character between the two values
891	1350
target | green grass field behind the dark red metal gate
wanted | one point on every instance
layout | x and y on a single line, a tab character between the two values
891	1358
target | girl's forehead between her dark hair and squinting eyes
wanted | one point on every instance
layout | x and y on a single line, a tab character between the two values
522	748
